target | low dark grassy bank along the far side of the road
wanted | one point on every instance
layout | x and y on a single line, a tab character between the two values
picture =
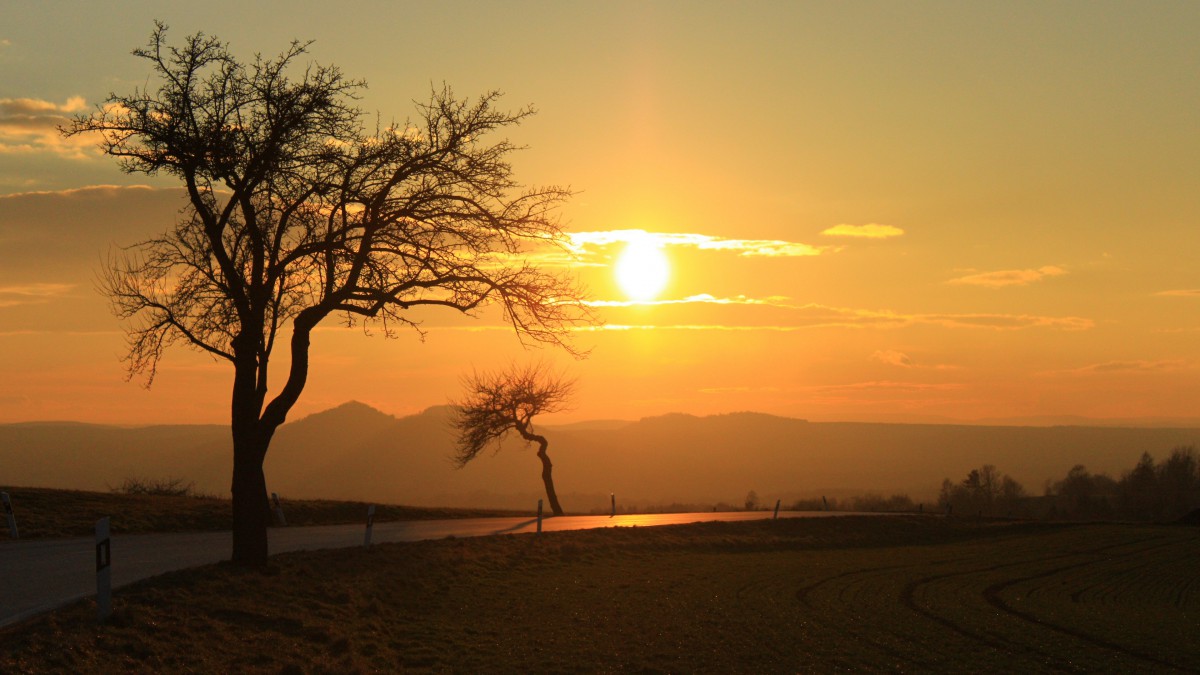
44	513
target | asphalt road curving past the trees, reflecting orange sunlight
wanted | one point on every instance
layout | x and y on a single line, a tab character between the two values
41	576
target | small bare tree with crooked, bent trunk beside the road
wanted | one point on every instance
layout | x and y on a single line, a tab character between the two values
500	403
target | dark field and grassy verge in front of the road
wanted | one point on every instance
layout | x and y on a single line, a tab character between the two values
811	595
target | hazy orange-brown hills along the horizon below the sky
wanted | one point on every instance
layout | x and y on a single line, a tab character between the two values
356	452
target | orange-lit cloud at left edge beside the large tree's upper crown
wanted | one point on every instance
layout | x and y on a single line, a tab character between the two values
32	126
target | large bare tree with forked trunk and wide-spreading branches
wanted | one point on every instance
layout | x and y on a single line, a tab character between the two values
296	212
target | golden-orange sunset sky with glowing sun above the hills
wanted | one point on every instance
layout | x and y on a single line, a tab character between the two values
884	212
